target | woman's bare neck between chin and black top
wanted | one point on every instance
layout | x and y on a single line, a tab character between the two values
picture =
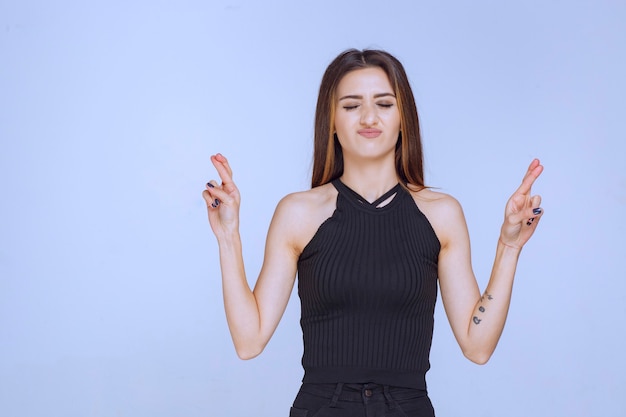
370	180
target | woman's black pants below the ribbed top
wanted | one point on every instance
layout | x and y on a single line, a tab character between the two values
360	400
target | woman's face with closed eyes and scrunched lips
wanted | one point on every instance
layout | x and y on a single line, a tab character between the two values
367	119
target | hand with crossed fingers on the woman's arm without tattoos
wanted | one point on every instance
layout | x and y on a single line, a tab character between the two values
222	200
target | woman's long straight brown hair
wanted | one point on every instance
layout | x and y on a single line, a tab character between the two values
327	155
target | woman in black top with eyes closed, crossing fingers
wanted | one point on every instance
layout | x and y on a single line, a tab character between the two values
369	242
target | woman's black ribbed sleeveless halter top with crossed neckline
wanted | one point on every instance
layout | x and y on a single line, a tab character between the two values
367	283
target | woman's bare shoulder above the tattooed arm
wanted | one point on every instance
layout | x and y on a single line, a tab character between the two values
443	211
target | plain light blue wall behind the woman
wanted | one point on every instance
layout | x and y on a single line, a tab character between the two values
110	296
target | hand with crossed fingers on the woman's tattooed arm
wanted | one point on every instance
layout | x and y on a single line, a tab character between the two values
522	212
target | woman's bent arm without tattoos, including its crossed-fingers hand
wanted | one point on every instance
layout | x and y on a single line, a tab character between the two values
252	316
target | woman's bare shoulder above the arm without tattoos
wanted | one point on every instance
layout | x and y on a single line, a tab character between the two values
302	213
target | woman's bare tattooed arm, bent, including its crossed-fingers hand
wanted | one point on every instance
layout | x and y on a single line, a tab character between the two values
477	320
